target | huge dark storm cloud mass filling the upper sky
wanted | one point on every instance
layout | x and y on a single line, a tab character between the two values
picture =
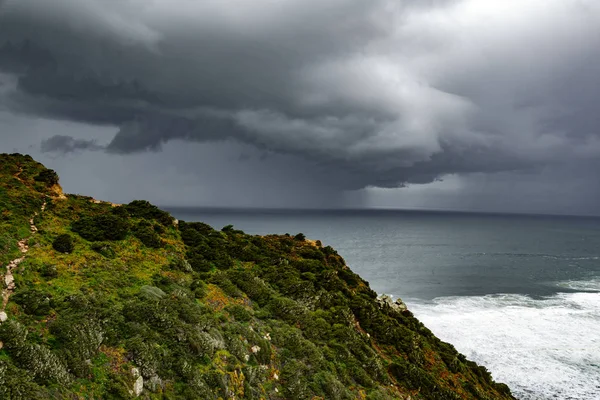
379	93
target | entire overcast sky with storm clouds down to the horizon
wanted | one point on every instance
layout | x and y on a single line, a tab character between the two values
446	104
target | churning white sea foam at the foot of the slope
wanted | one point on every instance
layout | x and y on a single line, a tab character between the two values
542	348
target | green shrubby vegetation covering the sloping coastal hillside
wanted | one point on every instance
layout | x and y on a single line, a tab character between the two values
118	302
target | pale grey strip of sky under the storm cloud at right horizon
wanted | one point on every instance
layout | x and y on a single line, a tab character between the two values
550	190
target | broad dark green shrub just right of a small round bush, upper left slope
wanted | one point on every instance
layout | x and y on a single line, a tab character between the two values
103	227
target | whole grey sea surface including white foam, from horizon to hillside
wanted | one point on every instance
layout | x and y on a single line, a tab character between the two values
519	294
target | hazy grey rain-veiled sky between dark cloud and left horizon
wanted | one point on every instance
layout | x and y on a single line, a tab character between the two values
182	174
